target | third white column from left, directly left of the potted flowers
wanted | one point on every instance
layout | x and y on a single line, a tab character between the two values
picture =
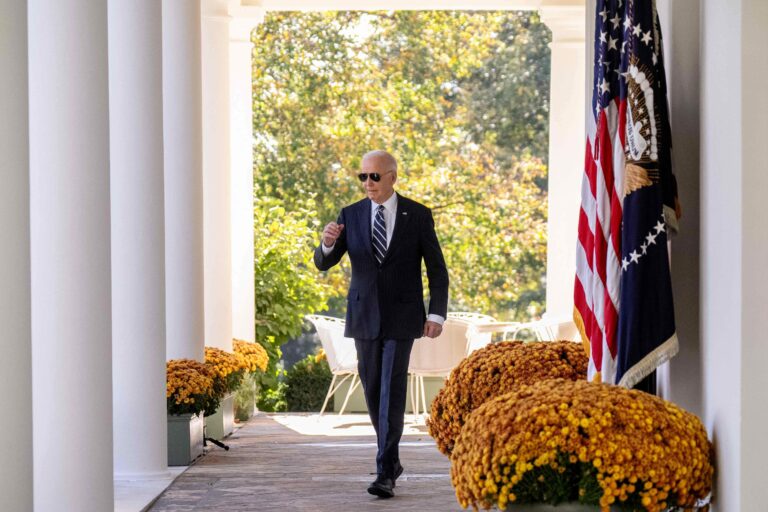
138	250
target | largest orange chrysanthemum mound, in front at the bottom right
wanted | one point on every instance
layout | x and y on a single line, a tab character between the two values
564	441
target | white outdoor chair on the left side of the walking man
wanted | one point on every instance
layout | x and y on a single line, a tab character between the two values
341	355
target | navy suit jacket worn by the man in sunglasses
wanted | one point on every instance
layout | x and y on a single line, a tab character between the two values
387	300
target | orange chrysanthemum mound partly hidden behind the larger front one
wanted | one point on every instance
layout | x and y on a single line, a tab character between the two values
494	370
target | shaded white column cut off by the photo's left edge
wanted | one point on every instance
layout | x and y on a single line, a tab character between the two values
15	314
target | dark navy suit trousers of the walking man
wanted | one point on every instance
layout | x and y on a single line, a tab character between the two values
383	368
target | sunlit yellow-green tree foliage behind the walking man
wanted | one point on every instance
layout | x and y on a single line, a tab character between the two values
460	98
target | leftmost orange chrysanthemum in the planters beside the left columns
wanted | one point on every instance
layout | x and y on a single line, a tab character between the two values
189	387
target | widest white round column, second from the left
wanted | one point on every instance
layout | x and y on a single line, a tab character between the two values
70	244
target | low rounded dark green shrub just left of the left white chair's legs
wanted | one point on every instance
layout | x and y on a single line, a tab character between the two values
307	384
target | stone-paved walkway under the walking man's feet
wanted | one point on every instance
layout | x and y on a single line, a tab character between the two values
318	464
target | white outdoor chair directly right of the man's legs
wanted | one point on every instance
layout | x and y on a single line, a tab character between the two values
436	357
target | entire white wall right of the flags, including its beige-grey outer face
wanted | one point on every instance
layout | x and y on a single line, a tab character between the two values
734	247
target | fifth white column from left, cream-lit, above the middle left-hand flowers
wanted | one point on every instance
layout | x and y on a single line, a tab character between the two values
216	175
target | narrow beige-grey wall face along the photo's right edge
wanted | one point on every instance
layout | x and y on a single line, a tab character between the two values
754	256
